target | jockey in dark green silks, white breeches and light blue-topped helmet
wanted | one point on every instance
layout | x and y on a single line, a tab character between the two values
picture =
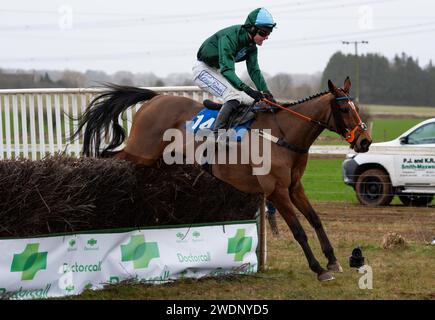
215	73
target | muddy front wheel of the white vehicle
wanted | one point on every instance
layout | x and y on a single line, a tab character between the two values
373	188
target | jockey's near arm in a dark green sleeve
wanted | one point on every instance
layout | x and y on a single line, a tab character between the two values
226	62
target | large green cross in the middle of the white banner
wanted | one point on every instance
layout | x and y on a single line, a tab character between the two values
139	251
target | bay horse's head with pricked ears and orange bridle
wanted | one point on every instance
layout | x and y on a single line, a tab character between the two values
347	120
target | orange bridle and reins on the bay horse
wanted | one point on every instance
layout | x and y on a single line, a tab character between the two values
348	134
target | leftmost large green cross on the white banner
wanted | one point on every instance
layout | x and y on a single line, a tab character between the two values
29	262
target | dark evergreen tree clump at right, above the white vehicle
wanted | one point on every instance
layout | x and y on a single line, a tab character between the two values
398	82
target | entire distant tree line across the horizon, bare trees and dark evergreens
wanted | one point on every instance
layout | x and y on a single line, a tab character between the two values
400	81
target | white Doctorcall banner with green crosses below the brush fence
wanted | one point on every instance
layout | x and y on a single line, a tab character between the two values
67	264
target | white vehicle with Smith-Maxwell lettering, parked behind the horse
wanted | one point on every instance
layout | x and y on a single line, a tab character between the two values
404	166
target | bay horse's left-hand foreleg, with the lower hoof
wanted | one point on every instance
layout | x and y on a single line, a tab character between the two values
280	198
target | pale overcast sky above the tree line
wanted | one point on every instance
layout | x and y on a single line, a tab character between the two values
163	36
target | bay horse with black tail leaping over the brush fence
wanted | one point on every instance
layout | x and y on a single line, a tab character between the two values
297	125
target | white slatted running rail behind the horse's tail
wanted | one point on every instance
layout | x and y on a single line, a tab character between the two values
35	123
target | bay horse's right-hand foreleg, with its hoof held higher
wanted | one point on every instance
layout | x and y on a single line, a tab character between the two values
301	202
